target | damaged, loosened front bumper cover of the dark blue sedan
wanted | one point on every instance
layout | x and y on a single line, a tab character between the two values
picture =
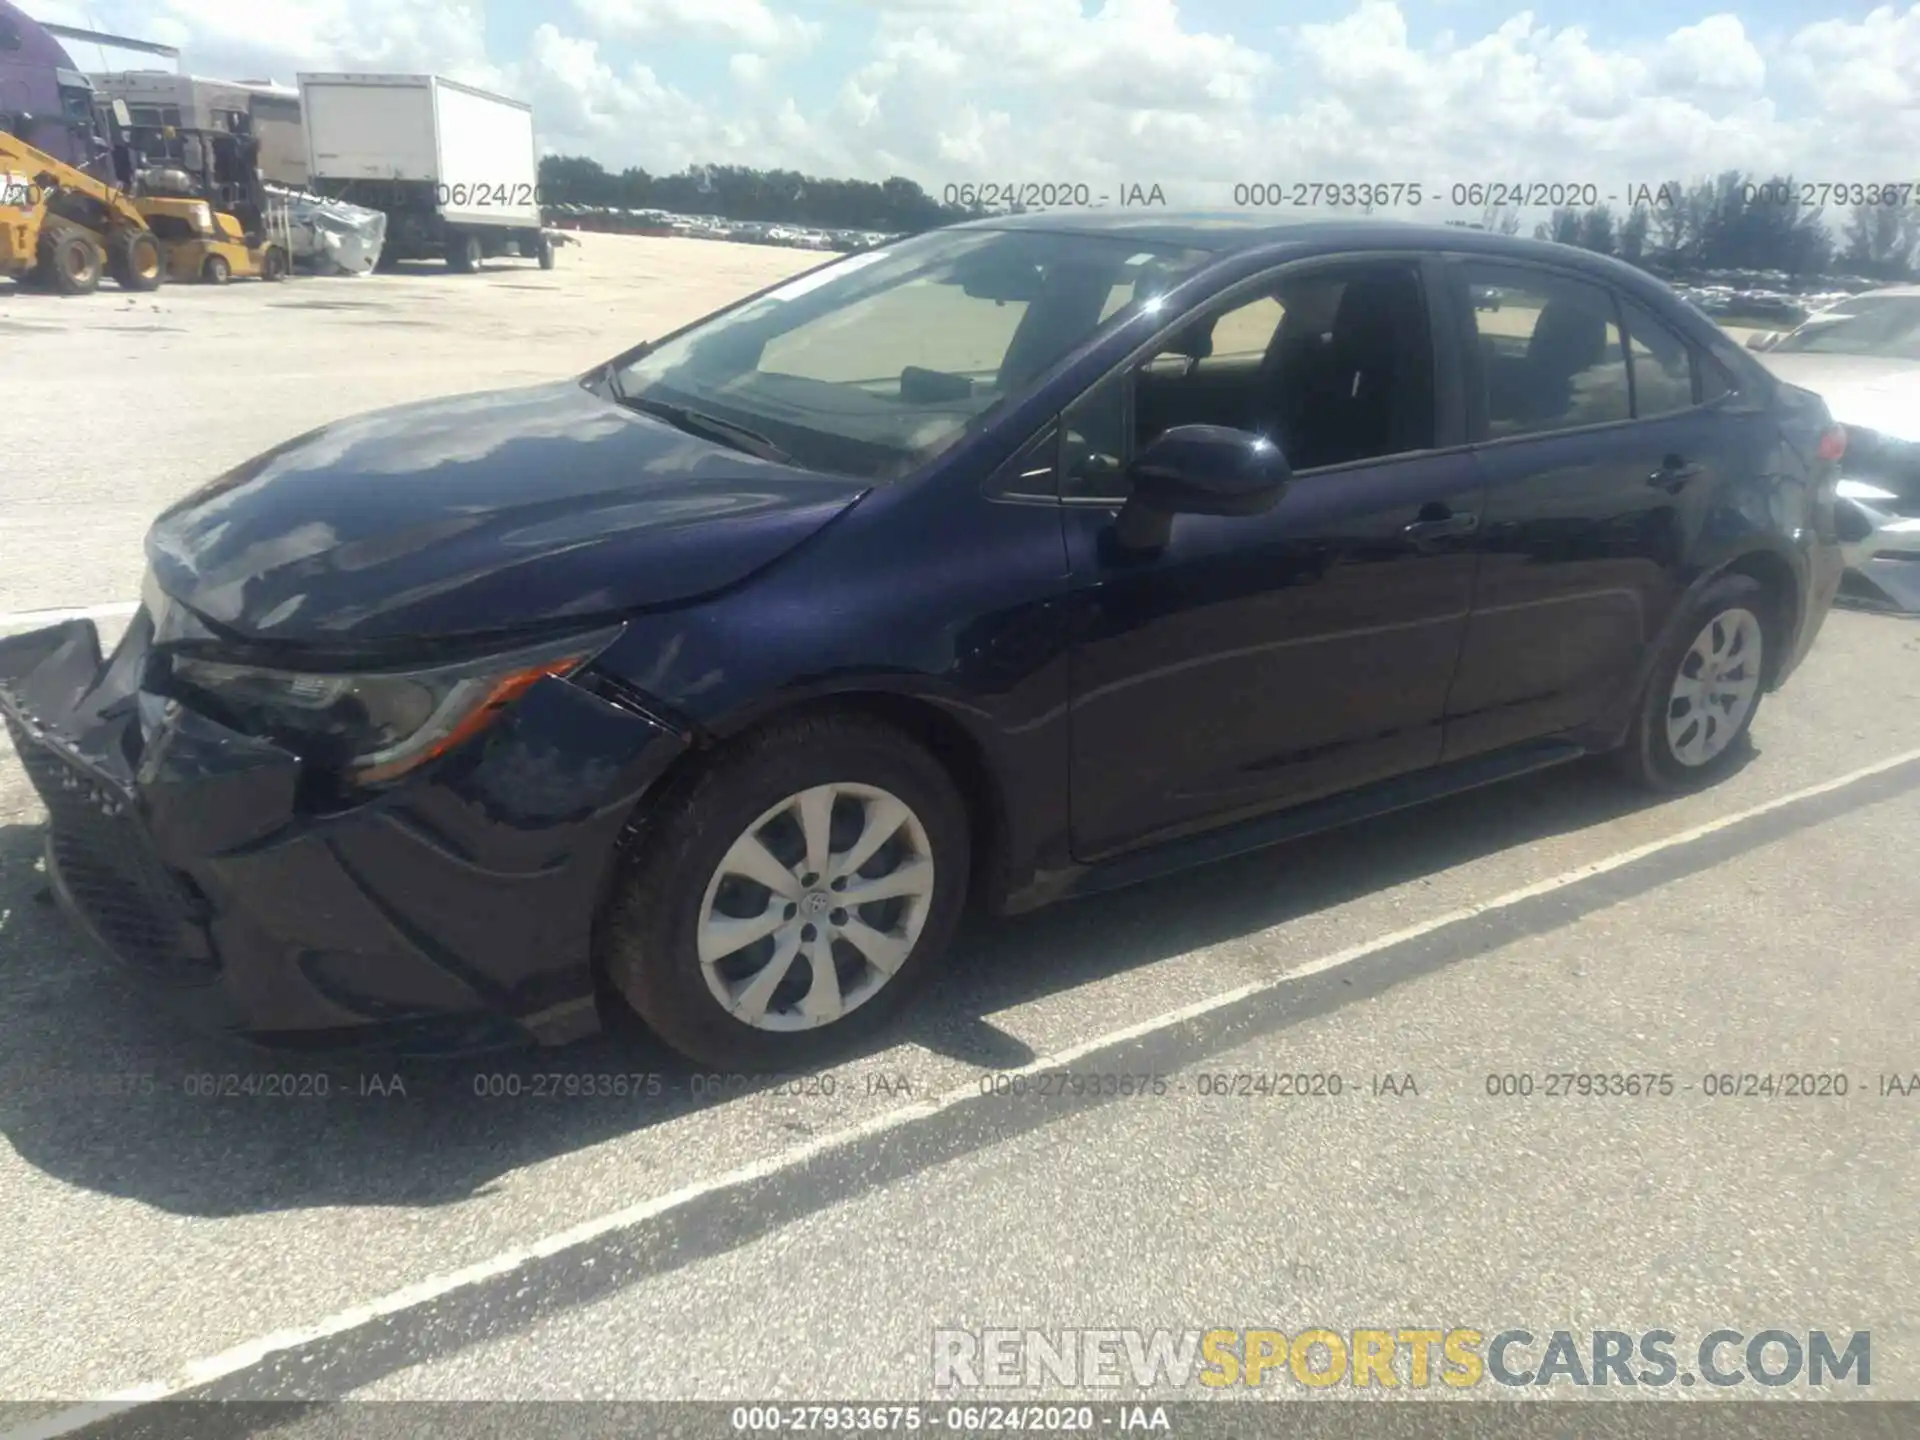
452	911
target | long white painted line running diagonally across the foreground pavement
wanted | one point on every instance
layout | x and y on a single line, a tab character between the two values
229	1362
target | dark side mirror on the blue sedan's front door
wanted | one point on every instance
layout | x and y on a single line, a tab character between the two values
1199	469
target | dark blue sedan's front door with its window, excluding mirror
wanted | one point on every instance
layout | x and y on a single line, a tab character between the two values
1262	661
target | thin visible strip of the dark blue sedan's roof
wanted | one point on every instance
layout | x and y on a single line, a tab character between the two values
1236	231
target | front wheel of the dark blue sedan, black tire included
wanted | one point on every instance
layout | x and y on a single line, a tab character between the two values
650	936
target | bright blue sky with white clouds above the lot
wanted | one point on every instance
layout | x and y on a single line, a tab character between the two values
1189	93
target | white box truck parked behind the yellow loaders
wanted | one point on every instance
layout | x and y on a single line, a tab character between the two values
454	168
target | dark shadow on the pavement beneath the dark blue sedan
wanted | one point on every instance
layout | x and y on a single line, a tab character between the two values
103	1092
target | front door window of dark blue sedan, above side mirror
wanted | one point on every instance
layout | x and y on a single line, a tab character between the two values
1333	364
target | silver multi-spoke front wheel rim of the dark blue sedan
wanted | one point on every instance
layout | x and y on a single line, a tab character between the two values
815	907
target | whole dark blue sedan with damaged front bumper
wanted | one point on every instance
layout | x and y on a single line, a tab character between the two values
997	565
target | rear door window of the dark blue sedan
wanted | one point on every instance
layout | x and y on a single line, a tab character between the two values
1550	352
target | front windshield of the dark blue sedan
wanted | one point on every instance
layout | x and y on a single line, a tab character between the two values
880	362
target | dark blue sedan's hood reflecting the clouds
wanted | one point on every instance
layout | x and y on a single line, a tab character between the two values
479	514
